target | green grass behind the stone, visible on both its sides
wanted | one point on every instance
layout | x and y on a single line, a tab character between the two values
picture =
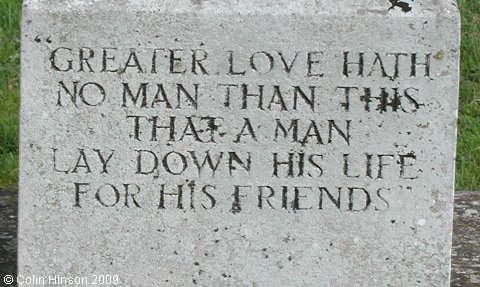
468	150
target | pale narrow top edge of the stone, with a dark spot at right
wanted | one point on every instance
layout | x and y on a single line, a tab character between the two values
303	7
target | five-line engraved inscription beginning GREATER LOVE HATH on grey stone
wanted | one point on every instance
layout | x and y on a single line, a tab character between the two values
211	131
